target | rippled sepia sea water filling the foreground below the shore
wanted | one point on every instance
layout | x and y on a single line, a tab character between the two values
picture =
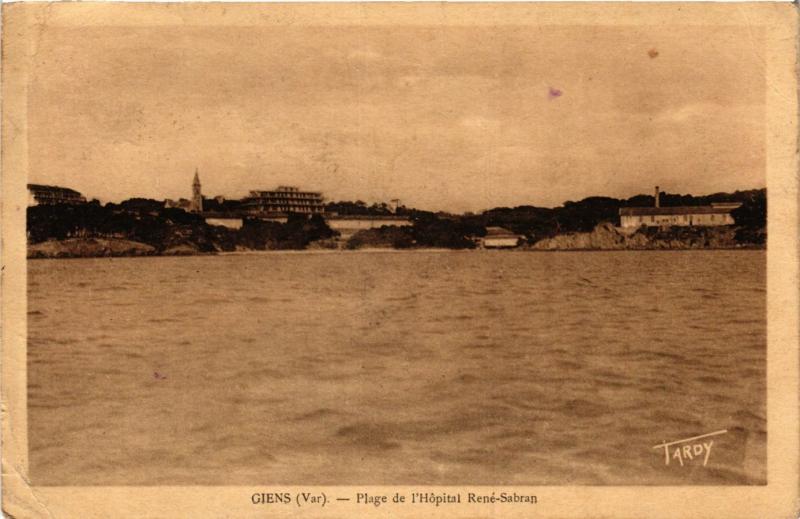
396	368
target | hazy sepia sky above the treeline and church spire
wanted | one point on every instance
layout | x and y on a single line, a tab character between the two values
450	118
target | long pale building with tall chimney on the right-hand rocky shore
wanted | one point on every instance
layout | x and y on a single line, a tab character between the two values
681	216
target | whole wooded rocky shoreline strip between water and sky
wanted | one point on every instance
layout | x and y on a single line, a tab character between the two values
140	227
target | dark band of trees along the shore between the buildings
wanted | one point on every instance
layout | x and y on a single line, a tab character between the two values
149	221
